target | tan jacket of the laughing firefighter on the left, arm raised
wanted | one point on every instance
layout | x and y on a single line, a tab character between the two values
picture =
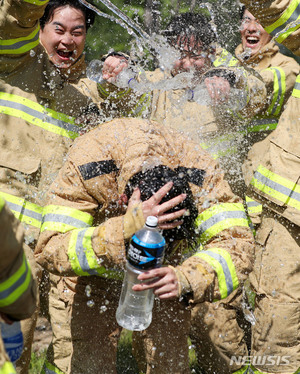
38	107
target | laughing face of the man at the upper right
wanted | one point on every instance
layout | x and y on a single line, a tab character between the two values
254	37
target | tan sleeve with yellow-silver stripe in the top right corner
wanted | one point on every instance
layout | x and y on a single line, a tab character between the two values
279	18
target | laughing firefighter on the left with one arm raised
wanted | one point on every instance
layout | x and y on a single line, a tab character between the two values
43	89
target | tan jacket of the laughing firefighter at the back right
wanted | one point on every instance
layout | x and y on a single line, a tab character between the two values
279	73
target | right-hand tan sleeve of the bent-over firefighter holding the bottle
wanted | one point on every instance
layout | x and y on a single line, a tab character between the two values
224	253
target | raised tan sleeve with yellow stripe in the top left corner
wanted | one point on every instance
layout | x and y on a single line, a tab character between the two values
19	30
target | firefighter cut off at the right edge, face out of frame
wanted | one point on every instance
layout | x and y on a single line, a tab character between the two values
275	184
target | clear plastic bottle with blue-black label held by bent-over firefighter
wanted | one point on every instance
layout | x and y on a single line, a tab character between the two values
146	251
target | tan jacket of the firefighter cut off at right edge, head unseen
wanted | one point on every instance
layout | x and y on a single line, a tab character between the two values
276	160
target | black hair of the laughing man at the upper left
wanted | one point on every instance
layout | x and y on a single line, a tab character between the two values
54	4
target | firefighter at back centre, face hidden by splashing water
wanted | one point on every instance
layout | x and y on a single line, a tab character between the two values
218	132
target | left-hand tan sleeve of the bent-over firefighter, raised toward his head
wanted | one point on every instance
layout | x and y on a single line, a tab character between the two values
77	238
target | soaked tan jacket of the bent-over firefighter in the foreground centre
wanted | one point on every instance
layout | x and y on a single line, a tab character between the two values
84	230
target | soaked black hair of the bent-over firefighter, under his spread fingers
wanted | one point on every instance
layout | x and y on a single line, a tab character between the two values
151	180
